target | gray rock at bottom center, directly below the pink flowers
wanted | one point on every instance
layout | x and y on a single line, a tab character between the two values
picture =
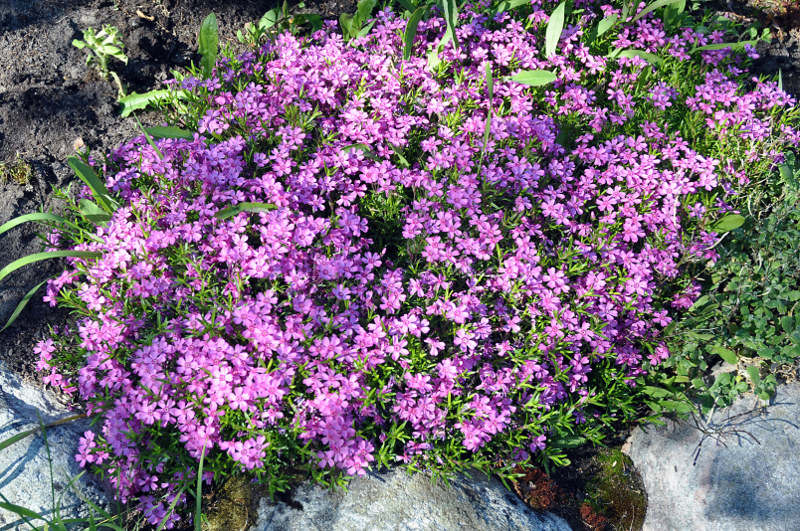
395	500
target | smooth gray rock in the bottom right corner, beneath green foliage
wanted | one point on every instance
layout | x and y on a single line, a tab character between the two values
746	474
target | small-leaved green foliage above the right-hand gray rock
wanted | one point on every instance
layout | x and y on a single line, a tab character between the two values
750	316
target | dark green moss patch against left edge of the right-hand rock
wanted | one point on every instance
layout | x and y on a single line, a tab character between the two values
615	490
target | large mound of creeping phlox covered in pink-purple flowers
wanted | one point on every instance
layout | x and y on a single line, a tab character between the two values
397	285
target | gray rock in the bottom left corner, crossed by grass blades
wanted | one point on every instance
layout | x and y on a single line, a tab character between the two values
24	468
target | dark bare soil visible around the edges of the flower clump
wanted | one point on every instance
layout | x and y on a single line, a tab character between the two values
51	104
